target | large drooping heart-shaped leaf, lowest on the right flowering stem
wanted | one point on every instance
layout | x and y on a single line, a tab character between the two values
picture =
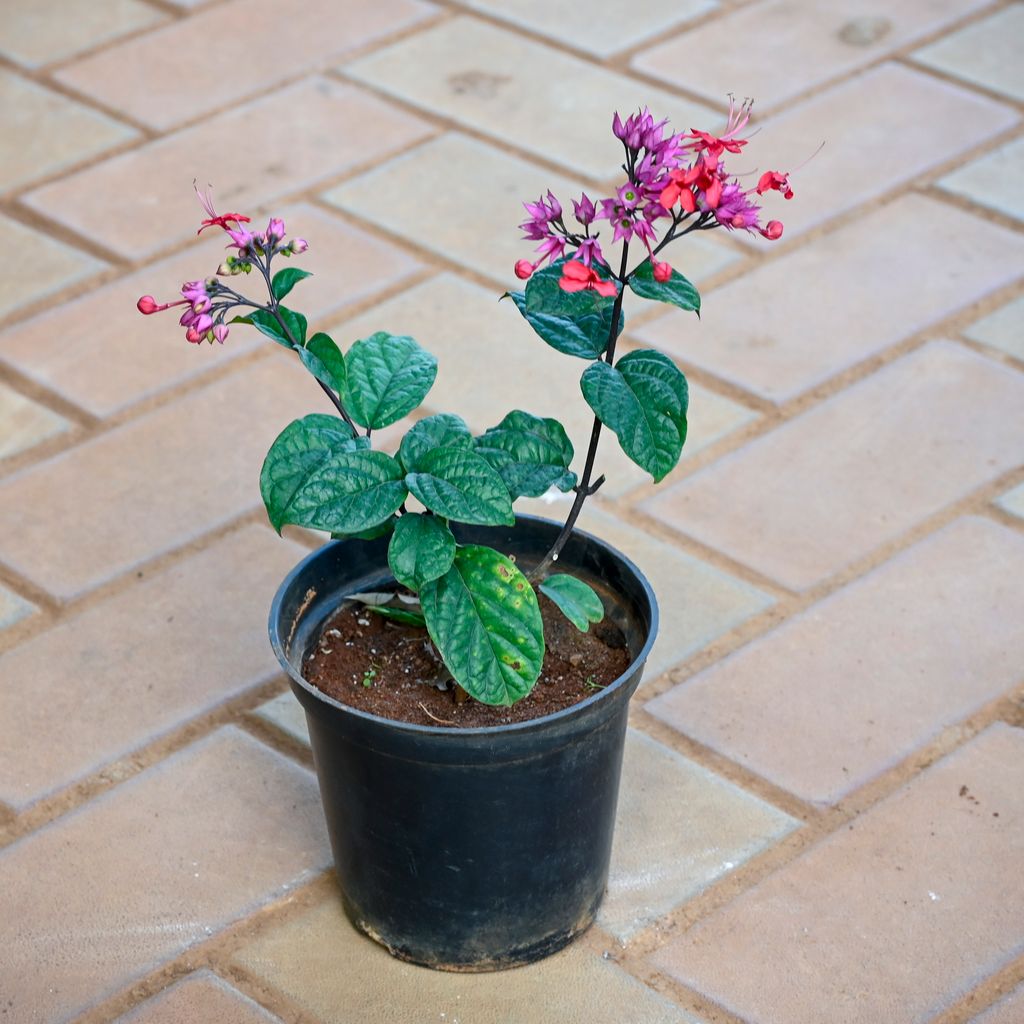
644	400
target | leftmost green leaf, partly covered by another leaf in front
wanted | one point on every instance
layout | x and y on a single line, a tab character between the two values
302	449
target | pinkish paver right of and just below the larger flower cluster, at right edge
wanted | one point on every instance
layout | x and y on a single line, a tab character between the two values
764	332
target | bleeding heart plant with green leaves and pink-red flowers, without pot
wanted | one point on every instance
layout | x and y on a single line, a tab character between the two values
480	609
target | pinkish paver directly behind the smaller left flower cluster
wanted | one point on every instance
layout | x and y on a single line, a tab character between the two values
101	355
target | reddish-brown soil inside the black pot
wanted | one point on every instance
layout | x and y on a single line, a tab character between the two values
385	668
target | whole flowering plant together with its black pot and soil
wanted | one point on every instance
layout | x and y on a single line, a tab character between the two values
471	806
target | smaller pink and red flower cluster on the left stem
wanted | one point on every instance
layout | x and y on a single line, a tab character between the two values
209	302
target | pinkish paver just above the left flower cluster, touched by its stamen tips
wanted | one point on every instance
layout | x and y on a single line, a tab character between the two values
339	129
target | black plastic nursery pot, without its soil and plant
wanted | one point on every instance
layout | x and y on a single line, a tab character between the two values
468	849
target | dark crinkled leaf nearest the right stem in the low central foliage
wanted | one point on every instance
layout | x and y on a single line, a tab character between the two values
530	453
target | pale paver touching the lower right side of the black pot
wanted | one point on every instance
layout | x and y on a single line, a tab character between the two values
666	852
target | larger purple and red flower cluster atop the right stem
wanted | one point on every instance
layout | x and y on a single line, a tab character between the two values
670	179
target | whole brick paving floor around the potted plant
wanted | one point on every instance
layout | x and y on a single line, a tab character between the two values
822	818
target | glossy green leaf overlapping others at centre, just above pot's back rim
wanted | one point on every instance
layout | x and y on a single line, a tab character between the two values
457	484
